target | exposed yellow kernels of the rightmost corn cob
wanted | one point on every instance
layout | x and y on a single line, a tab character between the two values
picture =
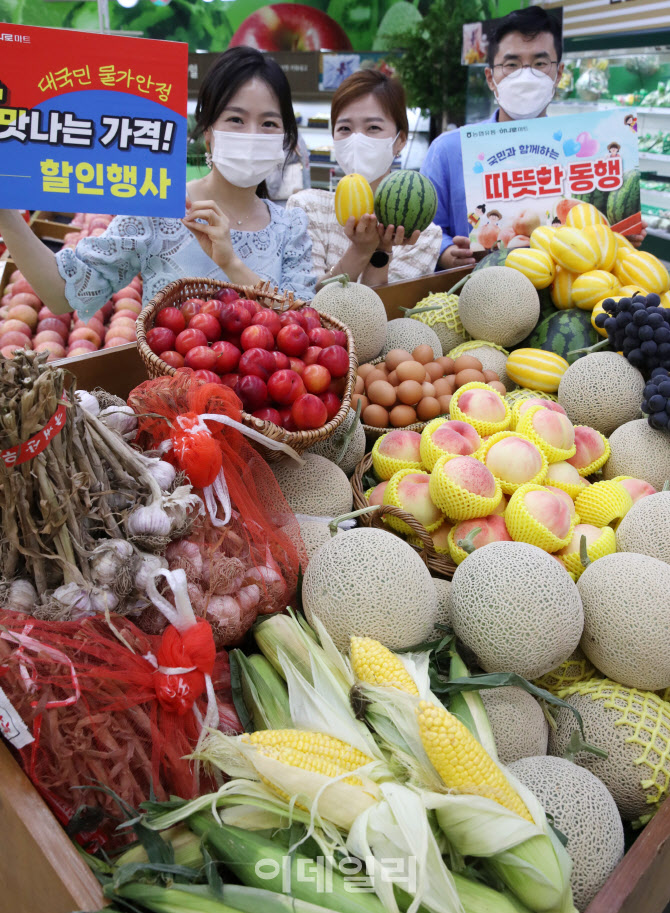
461	761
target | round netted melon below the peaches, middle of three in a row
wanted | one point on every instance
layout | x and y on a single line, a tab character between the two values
516	608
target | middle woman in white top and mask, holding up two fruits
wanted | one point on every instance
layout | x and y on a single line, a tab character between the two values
369	119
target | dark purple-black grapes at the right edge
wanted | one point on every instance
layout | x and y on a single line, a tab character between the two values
640	328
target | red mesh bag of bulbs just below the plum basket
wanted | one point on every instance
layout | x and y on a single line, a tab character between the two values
243	556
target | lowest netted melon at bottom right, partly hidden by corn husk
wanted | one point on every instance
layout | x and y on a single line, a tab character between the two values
582	808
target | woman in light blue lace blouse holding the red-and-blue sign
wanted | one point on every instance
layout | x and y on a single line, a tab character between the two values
230	231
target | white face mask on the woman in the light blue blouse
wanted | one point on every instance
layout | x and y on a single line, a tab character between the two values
246	159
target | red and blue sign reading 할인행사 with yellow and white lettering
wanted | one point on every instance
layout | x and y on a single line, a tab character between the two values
92	123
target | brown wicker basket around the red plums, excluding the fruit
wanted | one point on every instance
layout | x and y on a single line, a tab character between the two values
180	291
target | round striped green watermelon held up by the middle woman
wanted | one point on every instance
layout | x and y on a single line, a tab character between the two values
406	198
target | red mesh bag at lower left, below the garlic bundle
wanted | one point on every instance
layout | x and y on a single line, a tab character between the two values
108	705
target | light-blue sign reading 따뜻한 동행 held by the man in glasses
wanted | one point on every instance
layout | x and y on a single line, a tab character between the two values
526	173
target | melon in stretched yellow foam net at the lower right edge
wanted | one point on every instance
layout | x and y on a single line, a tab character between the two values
633	727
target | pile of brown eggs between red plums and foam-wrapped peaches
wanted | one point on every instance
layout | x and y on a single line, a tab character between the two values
408	389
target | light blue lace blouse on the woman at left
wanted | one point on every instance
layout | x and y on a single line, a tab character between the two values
163	250
